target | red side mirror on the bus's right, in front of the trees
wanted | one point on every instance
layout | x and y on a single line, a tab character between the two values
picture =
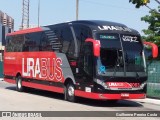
154	48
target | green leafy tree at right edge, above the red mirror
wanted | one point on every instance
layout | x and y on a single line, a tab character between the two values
153	31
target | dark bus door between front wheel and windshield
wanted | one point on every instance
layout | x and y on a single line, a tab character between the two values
86	69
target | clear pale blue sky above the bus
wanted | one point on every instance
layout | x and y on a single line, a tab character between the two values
58	11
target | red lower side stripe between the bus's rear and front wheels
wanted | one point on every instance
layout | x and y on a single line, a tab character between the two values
43	87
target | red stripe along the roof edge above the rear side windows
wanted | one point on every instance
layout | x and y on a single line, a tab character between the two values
38	29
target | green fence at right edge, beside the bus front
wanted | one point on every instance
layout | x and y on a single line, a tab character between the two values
153	87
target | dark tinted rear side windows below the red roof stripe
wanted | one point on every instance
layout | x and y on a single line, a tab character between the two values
24	42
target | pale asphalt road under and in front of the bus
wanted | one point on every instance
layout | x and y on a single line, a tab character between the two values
37	100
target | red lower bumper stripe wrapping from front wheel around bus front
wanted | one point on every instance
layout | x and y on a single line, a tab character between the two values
107	96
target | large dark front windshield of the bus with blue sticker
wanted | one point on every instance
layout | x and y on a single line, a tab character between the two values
120	55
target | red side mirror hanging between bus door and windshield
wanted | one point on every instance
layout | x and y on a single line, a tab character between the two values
96	46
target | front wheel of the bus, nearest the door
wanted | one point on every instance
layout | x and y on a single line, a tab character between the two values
70	92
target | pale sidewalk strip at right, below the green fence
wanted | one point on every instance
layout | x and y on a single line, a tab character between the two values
148	100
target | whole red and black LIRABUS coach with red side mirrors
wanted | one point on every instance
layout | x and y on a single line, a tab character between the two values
91	59
